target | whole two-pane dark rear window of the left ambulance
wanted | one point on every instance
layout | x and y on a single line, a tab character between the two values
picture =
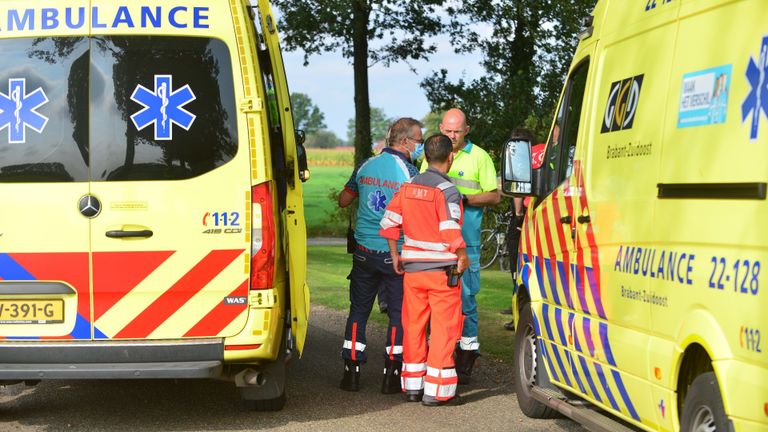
104	108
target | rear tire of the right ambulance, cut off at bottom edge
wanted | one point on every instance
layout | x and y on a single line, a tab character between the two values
703	409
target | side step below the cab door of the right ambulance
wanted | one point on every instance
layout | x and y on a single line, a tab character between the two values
578	412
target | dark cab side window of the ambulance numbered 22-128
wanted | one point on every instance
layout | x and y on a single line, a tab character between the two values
562	146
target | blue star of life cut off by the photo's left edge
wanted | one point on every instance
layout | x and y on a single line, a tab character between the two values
18	110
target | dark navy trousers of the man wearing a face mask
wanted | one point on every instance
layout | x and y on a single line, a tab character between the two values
369	271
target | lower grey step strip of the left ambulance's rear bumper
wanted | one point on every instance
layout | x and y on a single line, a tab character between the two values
158	370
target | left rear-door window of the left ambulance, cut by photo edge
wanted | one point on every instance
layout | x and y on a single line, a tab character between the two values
44	110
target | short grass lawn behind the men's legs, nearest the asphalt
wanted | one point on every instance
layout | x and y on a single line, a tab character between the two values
328	267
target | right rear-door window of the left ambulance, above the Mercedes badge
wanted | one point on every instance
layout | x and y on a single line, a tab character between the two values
162	108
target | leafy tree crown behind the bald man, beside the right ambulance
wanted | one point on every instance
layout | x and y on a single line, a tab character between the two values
526	57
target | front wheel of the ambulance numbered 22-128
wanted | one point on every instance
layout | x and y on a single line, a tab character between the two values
525	362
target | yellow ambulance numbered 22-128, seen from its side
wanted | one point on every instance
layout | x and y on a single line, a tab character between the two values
640	289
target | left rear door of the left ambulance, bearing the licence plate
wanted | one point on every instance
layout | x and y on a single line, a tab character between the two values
44	237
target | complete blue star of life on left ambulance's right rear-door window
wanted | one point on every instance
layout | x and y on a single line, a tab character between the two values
163	107
